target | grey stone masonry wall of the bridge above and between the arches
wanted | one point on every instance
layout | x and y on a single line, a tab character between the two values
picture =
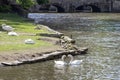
104	5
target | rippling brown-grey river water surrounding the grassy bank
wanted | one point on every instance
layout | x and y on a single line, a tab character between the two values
102	62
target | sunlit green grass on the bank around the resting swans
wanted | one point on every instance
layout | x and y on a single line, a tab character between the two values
22	27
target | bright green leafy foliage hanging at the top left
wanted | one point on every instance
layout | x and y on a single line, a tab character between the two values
26	3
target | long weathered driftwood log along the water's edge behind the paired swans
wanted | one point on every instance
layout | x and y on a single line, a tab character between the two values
44	57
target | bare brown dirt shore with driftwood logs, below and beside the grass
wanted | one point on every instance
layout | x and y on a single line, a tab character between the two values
14	58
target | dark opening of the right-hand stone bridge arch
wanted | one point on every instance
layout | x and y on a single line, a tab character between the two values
88	8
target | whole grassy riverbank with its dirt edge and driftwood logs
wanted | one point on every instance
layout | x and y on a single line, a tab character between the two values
13	50
